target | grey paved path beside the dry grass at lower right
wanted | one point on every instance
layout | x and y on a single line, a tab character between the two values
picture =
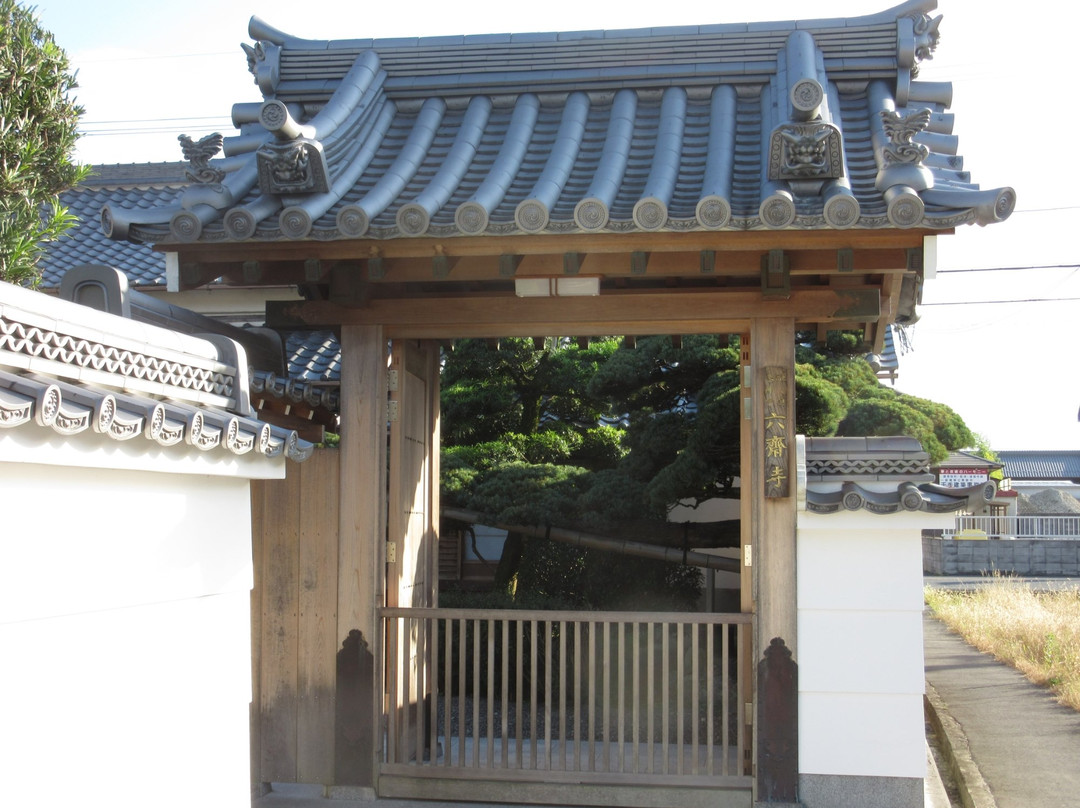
1025	744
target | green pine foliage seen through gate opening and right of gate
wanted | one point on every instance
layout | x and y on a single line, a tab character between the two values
590	438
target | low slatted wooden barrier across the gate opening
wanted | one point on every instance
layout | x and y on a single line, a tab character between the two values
565	696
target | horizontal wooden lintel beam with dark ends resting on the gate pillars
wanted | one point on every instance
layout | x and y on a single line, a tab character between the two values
630	313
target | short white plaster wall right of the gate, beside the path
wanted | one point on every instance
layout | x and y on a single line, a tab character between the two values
860	639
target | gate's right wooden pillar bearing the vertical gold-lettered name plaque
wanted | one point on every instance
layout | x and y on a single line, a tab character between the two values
773	499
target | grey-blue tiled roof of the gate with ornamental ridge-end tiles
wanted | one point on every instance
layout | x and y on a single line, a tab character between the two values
814	126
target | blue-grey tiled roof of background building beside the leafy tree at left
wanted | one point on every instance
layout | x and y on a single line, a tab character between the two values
137	187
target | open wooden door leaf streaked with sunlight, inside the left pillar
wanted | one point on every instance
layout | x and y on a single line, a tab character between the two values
413	532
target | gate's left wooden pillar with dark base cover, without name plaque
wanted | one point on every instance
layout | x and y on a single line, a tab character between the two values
362	524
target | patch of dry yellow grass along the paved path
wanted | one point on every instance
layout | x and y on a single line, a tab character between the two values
1038	634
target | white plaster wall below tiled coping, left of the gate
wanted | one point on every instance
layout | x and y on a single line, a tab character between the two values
125	624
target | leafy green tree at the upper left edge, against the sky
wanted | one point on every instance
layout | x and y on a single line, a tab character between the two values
38	132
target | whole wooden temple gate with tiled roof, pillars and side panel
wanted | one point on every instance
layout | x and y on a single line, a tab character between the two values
758	181
